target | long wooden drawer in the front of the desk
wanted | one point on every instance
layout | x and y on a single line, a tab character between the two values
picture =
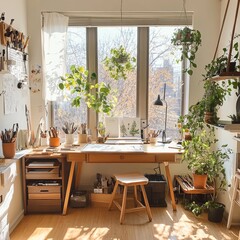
120	158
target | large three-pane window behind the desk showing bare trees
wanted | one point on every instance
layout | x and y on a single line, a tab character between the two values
162	68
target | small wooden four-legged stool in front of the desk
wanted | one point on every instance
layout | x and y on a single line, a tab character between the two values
131	180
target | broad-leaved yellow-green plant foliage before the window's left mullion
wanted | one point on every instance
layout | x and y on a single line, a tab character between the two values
85	87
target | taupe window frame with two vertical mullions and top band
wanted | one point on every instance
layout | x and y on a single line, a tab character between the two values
143	22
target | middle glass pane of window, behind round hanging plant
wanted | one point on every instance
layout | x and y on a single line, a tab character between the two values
124	90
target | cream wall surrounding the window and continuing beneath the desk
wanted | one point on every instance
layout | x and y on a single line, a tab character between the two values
206	19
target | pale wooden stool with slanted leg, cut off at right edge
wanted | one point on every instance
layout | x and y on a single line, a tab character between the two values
235	198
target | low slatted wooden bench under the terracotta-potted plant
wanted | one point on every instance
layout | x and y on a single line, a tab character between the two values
188	188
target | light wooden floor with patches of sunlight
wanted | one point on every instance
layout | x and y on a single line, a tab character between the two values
93	223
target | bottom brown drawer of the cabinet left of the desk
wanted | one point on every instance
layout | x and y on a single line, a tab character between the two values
39	206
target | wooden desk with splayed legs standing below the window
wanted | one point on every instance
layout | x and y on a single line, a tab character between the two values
150	154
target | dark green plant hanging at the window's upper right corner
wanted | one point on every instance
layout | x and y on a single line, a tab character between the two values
188	41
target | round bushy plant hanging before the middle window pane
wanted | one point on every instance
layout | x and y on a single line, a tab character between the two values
120	63
